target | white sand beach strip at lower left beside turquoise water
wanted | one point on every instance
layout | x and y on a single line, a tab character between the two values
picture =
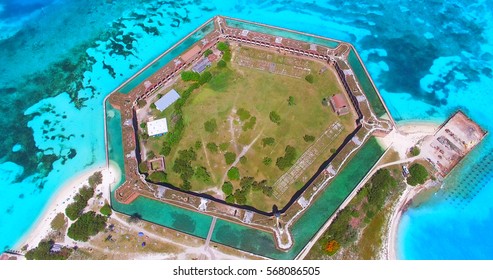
63	197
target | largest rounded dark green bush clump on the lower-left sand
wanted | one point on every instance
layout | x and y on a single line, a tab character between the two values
89	224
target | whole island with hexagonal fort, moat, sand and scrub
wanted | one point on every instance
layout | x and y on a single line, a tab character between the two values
261	142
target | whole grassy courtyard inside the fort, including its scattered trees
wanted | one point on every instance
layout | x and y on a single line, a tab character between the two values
249	125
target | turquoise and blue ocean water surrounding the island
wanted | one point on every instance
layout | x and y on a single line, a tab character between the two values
61	58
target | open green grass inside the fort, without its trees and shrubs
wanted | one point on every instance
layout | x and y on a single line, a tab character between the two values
254	94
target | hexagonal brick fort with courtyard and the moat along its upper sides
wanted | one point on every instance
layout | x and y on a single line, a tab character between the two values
248	124
